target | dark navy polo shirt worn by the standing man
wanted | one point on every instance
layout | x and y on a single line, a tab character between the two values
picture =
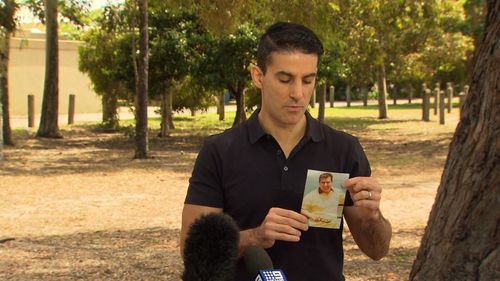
244	171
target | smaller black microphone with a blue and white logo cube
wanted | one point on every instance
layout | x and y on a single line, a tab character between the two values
257	261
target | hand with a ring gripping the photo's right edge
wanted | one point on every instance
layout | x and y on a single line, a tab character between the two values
365	193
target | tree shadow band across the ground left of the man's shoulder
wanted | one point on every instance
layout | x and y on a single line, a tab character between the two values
86	149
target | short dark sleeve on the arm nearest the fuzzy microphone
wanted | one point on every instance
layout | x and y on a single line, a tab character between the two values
205	185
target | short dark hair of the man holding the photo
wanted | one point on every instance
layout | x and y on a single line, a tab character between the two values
287	37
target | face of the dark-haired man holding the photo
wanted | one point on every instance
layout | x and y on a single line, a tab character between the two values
286	87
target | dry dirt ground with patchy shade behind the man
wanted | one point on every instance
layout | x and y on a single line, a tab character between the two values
80	208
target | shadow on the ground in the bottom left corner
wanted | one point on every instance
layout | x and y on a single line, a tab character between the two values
142	254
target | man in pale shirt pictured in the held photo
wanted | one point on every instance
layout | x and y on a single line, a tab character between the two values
323	206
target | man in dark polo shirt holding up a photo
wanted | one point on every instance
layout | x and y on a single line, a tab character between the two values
256	171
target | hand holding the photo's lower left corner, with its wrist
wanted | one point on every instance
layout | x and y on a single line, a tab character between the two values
279	224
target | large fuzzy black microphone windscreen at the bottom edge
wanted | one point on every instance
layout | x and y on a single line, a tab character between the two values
211	249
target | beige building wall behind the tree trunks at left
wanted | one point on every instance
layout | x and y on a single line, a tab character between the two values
27	74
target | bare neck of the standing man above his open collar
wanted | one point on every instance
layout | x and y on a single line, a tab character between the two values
287	136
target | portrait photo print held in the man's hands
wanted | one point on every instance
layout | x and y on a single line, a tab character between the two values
324	198
